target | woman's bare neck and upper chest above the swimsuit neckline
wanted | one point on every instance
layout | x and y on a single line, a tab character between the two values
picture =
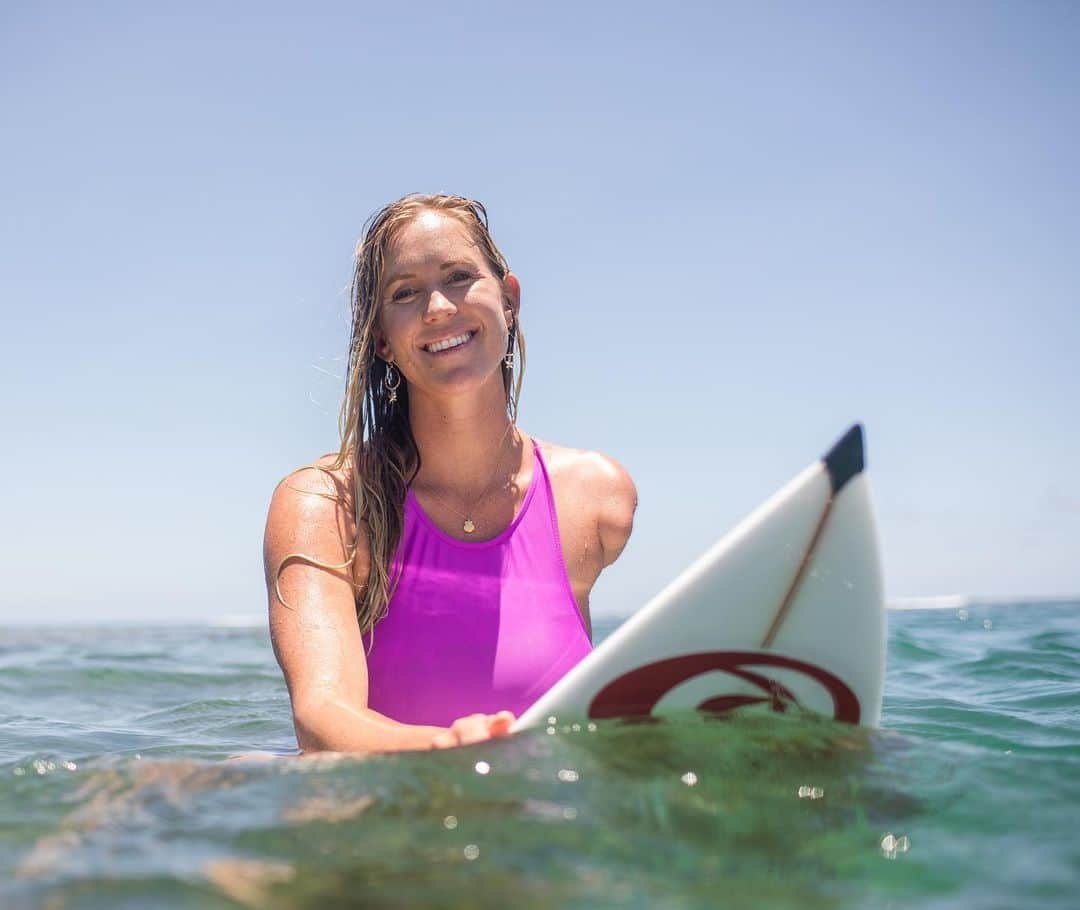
463	442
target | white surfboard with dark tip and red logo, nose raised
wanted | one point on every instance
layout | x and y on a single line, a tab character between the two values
786	612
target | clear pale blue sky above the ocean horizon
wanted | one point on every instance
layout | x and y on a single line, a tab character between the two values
739	228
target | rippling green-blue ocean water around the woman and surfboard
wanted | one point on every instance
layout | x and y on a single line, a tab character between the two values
116	793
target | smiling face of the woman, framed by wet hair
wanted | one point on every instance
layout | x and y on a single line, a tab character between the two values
443	314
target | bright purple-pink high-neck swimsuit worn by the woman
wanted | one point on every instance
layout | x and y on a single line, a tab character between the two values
477	627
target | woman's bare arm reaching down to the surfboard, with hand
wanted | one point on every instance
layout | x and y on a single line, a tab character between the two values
315	631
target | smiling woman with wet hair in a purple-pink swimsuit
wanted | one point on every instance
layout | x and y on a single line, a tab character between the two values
431	580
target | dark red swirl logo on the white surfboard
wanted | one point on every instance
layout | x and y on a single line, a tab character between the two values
638	692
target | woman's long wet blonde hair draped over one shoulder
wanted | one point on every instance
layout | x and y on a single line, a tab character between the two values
379	455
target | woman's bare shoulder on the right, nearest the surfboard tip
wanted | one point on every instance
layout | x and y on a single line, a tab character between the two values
599	483
